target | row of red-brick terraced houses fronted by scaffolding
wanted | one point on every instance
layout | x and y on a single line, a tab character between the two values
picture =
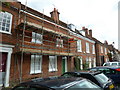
34	45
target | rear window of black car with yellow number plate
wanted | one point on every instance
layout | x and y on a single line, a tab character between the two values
102	78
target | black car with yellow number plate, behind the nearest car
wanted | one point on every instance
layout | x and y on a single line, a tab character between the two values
97	77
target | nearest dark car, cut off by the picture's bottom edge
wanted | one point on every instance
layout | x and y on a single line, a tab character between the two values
60	83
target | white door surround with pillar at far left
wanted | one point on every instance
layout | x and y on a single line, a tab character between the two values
8	49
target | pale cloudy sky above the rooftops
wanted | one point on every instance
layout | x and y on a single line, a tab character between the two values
99	15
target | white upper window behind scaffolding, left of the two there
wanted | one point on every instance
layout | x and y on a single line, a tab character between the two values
37	38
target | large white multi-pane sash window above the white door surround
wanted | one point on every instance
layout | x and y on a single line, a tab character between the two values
5	22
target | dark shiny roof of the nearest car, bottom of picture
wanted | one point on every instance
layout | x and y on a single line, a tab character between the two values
58	82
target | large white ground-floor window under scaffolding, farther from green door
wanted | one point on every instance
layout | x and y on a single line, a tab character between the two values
35	63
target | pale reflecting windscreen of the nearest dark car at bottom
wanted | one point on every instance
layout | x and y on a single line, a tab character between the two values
84	84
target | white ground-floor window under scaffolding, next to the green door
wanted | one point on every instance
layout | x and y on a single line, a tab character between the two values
53	63
